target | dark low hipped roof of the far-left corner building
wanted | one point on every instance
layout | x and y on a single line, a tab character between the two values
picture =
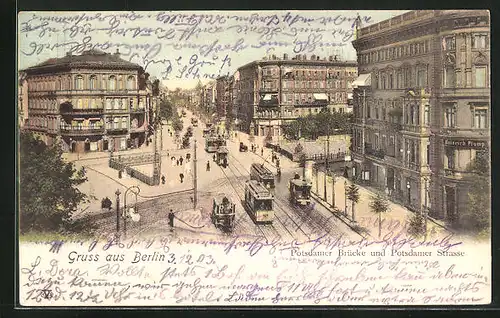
88	59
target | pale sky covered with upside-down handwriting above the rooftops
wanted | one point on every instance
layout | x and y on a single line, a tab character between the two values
182	47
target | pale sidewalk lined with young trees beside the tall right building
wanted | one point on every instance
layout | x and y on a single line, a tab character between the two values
393	221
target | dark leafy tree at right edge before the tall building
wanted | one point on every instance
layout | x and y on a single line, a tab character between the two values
477	216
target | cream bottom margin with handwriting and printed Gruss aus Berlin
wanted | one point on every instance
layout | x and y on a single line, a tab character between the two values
183	271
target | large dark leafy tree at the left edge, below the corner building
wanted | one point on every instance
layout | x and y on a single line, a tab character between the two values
48	188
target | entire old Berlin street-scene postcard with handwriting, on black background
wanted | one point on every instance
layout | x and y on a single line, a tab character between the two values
254	158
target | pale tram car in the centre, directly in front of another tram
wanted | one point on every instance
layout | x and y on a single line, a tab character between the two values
258	202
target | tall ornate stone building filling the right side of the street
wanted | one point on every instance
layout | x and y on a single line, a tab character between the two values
422	106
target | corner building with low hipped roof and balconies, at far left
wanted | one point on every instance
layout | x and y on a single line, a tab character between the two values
94	102
